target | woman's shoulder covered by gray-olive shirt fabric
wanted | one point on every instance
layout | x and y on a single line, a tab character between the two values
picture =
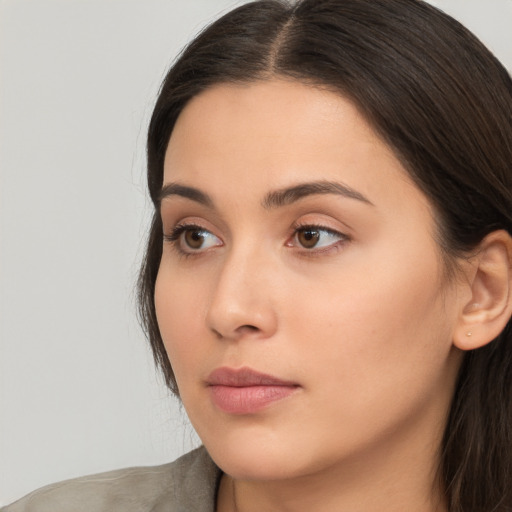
189	483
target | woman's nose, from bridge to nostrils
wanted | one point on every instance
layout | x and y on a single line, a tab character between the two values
243	301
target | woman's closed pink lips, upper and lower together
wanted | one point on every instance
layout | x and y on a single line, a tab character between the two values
246	391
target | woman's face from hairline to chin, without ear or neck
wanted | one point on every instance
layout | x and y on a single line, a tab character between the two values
297	247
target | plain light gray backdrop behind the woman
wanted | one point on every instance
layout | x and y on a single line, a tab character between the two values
78	392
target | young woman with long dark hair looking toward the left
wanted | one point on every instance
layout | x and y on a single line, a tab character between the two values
328	273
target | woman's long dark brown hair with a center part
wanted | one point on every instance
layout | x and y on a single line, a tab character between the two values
443	103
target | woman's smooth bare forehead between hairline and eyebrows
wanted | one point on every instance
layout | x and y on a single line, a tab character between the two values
271	134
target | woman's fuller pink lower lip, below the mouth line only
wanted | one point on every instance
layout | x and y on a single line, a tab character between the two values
248	399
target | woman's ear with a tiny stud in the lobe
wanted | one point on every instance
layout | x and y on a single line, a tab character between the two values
486	313
